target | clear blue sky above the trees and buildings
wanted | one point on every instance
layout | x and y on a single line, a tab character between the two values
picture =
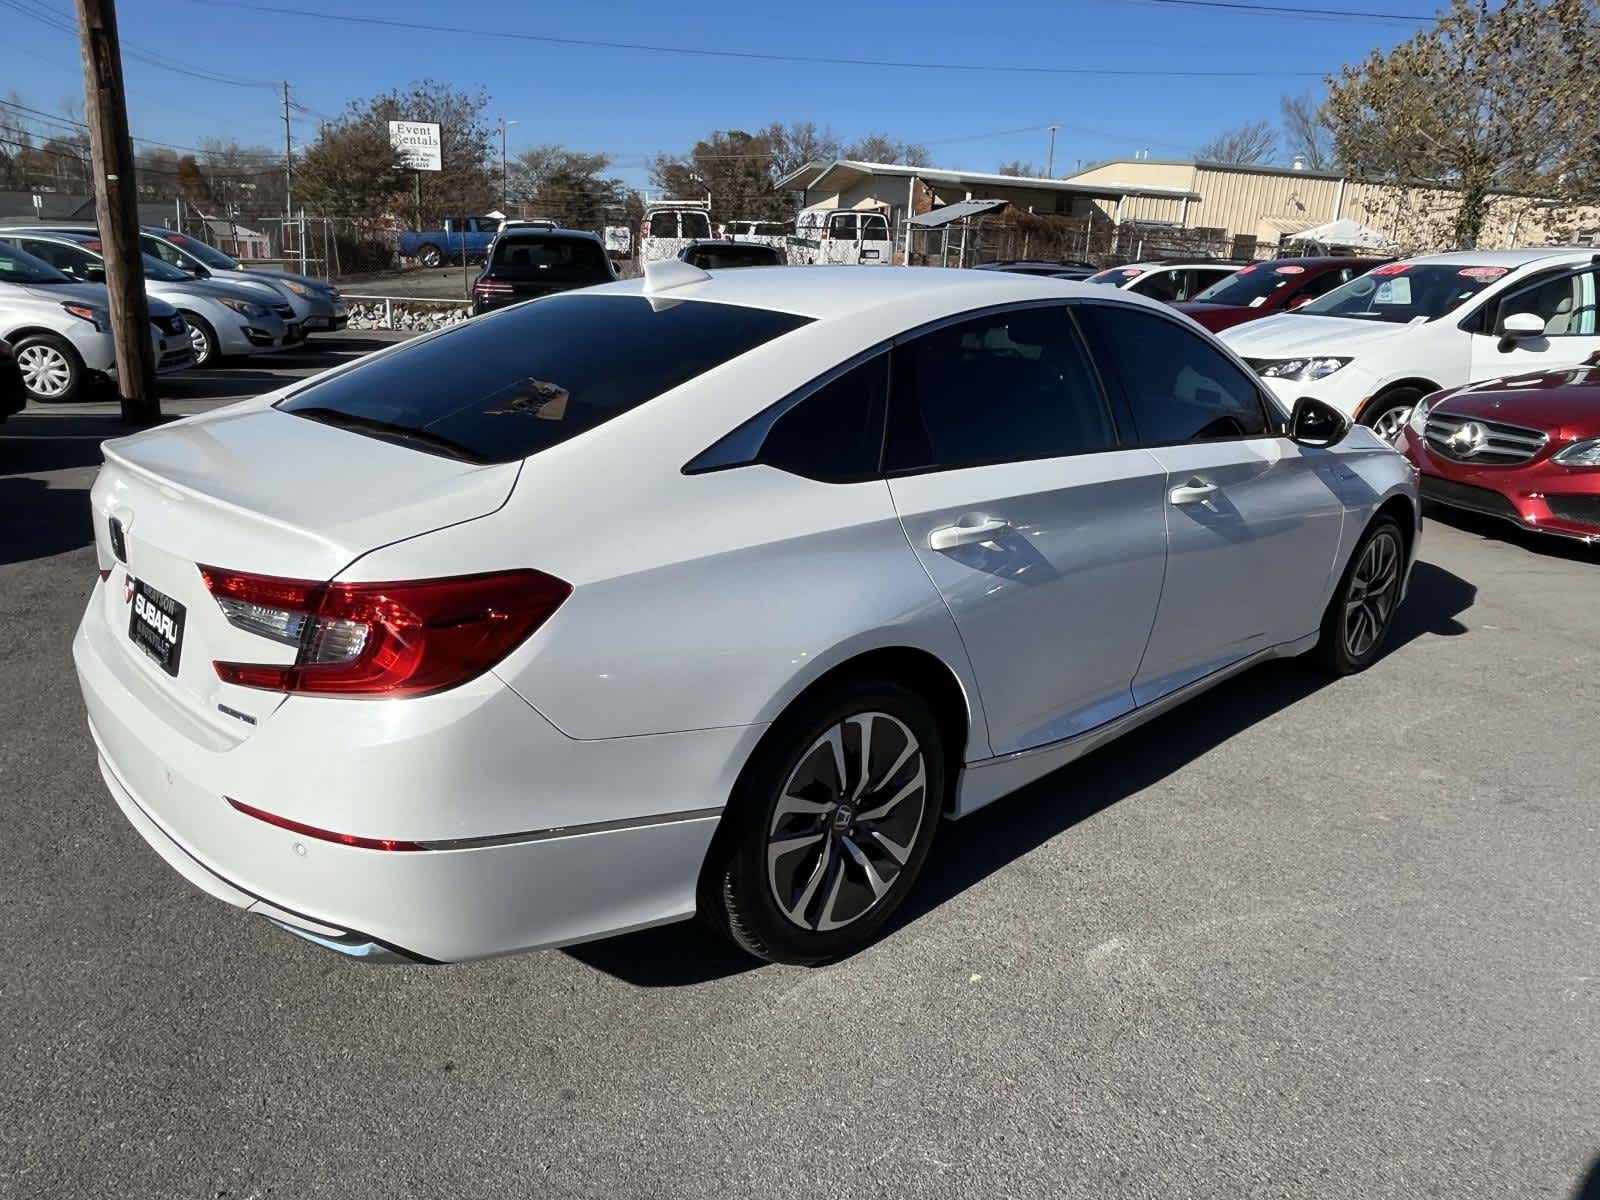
636	103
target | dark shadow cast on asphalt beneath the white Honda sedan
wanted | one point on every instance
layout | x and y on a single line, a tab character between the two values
678	956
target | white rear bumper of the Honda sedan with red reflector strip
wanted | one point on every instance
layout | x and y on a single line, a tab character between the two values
551	841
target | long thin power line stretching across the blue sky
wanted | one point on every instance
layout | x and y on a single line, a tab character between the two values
748	55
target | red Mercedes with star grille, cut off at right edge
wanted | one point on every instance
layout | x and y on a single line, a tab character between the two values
1524	449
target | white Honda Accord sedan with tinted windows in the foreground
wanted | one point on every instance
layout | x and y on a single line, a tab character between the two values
700	594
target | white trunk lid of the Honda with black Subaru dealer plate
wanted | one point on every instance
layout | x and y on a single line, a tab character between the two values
254	490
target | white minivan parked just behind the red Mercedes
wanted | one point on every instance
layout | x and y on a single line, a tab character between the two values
1385	340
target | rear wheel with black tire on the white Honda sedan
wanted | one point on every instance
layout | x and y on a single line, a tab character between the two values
842	855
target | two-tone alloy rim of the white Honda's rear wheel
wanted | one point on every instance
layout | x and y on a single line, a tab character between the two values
846	823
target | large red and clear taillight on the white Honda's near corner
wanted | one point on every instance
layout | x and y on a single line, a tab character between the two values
394	639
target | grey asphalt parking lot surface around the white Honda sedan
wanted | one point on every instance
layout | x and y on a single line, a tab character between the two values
1295	940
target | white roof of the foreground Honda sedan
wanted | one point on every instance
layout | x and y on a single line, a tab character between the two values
836	294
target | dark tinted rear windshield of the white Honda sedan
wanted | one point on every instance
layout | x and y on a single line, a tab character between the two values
508	386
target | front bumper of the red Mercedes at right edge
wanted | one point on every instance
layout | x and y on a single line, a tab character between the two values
1538	497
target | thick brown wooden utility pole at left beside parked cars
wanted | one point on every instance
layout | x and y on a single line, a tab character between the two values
118	210
